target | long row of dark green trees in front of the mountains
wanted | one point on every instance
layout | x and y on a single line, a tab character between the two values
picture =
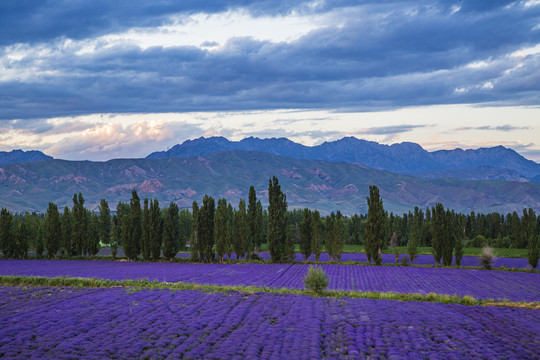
214	232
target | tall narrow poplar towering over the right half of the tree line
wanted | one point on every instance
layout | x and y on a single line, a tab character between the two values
374	226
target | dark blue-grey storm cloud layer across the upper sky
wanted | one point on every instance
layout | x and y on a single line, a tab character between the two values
382	55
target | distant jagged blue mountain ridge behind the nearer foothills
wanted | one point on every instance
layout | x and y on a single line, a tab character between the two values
496	163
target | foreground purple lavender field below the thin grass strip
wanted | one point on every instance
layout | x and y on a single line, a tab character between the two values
64	323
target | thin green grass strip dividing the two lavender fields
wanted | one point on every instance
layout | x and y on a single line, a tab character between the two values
137	285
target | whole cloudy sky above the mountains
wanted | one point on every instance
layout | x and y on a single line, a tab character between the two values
101	79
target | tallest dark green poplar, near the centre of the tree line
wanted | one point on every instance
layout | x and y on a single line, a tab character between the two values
277	209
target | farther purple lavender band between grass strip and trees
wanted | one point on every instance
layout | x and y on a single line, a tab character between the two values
477	283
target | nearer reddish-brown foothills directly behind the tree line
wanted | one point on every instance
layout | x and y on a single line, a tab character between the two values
317	184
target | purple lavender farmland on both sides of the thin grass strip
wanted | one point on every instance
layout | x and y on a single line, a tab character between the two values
67	322
